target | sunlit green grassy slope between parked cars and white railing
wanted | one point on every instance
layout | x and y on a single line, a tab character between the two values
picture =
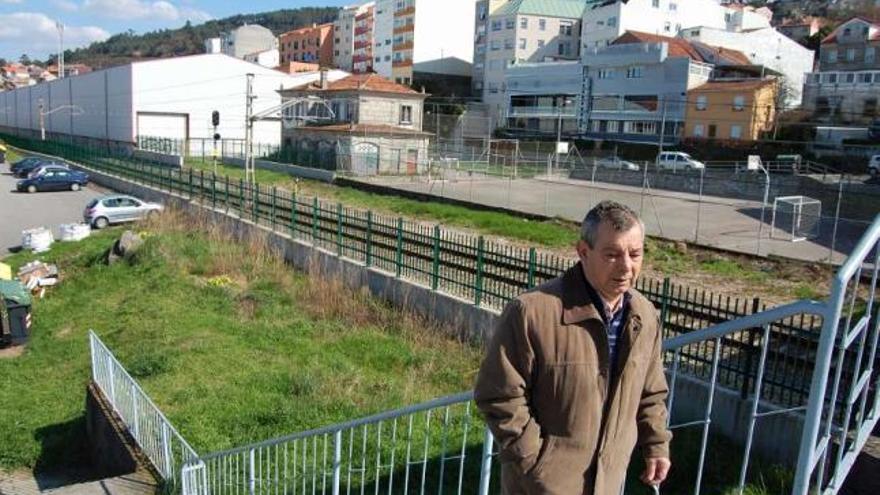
229	362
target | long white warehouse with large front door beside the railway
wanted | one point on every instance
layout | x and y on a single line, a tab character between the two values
170	98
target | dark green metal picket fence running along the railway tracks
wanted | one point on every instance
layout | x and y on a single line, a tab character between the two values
473	268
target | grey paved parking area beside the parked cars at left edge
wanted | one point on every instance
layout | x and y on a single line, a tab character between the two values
20	211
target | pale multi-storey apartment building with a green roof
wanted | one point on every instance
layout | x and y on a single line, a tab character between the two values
521	32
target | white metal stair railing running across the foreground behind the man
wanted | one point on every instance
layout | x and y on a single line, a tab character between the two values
443	446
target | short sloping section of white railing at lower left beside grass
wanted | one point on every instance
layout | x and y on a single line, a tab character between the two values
157	438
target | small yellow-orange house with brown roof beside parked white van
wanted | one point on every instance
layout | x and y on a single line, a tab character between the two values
738	109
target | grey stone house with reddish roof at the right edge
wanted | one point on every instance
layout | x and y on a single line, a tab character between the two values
846	86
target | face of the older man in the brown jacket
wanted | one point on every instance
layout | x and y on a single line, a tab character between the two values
614	263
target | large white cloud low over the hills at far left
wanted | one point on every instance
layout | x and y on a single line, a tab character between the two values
36	33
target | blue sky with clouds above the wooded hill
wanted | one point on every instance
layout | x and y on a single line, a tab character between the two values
28	26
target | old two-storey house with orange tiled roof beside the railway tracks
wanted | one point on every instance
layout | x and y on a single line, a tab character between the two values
363	124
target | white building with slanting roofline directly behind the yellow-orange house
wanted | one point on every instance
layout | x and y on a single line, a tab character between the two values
765	47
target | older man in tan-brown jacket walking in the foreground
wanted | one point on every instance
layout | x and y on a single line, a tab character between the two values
573	377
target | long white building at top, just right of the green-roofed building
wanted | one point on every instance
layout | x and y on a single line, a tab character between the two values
604	22
